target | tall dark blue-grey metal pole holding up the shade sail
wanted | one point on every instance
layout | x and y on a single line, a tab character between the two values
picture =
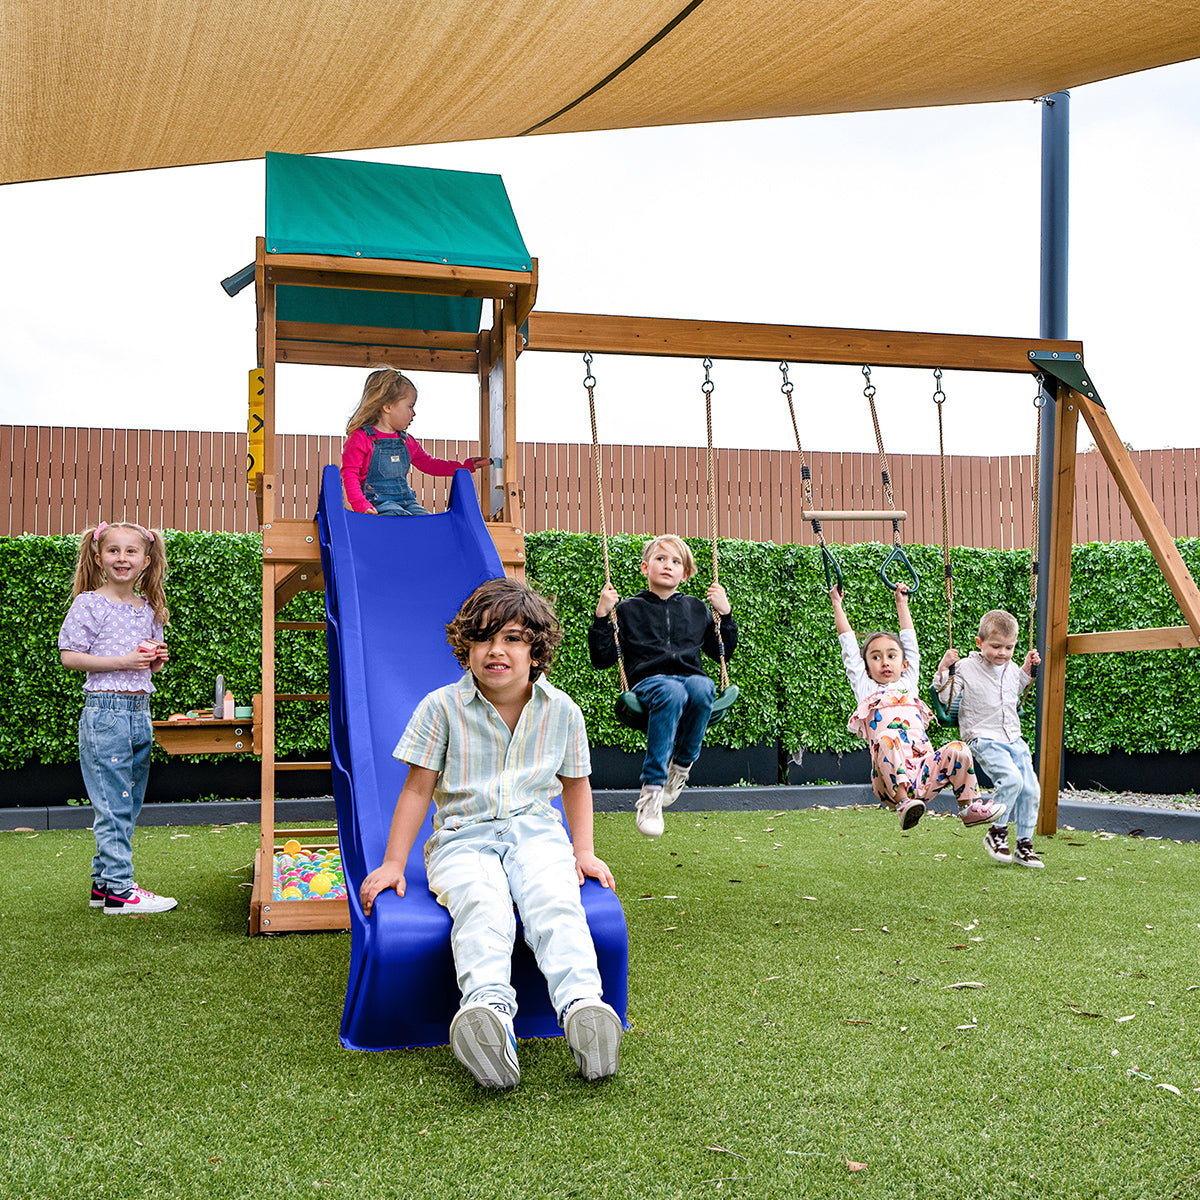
1055	219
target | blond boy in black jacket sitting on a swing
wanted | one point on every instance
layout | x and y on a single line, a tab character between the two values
662	635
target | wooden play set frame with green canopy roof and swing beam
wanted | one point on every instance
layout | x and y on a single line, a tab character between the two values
405	287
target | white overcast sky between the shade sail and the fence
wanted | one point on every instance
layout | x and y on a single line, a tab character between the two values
919	220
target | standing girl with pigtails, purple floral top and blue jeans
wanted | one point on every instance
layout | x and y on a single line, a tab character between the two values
113	633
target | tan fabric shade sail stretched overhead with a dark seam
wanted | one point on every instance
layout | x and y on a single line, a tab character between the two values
89	87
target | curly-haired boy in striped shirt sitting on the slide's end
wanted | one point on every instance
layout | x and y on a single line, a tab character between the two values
493	752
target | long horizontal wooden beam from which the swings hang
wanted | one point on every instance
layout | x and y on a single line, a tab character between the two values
604	334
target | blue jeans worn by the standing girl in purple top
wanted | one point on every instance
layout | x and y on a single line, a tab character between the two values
115	755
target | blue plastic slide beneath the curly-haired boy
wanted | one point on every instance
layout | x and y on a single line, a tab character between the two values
392	586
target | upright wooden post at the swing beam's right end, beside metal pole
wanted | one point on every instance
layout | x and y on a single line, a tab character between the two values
1058	575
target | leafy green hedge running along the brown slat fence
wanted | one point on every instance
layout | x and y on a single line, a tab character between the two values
787	667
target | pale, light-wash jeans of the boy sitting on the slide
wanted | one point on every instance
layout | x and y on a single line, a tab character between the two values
479	873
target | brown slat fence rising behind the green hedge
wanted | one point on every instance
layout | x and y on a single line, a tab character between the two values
61	481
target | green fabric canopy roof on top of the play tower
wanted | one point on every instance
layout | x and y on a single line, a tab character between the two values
356	209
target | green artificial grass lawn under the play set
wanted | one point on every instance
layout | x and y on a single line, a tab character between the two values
793	1009
